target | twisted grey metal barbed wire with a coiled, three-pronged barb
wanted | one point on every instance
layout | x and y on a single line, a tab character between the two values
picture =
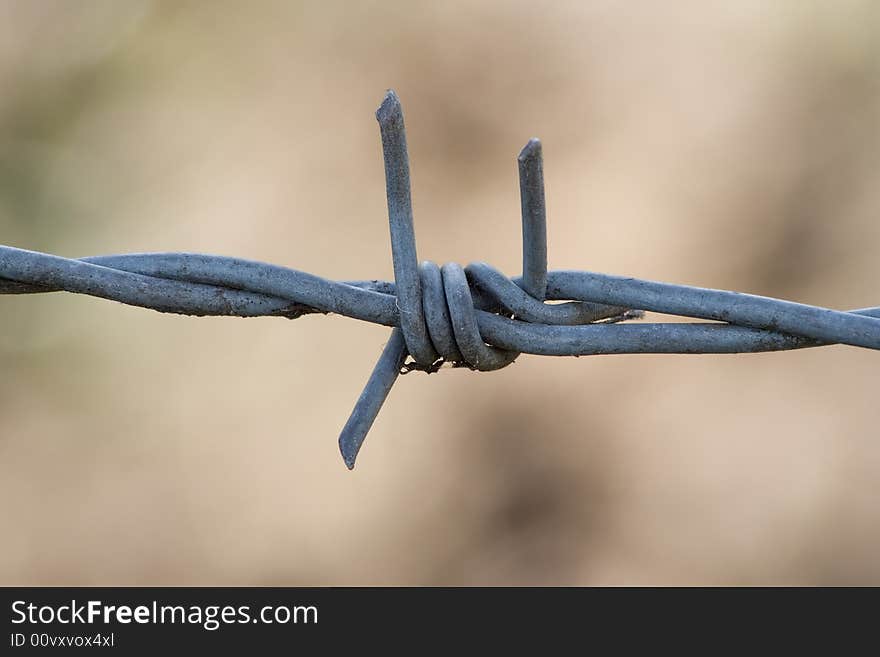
474	317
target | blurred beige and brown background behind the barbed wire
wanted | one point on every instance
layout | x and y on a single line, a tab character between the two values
732	145
